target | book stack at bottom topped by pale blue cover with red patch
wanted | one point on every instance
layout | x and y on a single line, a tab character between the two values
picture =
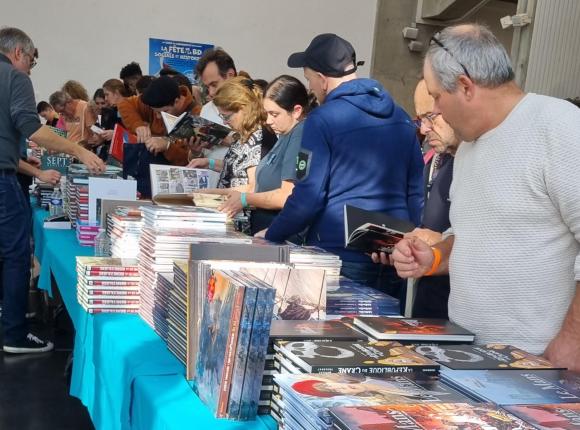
305	399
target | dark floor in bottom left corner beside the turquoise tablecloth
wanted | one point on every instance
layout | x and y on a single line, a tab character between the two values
34	390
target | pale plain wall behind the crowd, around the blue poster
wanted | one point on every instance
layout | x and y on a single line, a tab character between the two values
91	40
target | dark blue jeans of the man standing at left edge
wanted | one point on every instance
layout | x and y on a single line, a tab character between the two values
15	228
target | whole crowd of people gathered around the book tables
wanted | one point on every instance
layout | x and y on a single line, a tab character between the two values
497	243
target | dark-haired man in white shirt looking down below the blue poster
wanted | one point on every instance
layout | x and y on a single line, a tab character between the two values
213	68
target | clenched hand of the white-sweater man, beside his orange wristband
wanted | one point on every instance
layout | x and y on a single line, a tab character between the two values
412	258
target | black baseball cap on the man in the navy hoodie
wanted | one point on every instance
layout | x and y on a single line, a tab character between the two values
328	54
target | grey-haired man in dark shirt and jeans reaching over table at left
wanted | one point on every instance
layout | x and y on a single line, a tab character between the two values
18	120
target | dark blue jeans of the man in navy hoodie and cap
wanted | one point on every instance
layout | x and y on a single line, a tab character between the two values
377	276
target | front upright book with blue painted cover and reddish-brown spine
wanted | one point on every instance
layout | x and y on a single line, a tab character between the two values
222	308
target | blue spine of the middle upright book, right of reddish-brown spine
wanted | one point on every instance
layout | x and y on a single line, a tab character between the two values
241	359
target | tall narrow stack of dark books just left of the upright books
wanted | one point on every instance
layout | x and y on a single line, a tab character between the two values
177	327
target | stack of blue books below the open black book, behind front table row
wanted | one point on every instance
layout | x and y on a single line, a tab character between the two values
349	298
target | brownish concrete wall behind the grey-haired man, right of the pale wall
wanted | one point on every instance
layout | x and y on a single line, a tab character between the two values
395	66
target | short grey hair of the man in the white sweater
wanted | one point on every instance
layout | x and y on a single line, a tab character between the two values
472	47
